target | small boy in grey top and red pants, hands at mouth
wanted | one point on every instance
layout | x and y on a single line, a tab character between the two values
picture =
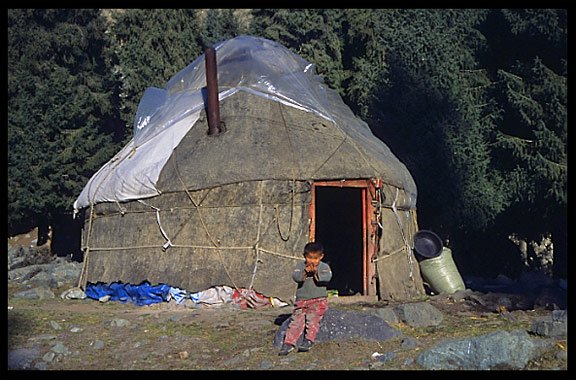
312	275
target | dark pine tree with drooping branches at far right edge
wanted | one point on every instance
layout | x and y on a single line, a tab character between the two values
527	57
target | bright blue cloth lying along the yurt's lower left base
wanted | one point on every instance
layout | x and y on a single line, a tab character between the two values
143	294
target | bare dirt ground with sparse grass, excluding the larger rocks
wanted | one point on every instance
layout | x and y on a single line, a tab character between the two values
166	336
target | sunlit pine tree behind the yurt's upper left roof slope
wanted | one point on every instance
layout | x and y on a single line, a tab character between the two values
151	45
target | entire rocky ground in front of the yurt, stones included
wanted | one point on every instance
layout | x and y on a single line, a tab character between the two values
493	326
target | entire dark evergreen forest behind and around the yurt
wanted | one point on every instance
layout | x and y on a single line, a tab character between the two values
472	101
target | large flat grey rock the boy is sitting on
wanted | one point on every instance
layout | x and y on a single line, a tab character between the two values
339	325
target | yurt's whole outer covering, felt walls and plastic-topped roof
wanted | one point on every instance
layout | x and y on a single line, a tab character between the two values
180	207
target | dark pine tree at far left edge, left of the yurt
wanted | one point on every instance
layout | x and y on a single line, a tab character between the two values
61	115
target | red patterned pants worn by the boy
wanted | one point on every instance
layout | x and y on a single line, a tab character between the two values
307	313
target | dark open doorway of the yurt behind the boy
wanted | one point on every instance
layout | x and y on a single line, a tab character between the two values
339	227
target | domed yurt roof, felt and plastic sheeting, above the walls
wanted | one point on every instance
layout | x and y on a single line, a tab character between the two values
282	122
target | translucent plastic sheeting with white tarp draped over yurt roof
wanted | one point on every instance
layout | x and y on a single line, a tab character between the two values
164	116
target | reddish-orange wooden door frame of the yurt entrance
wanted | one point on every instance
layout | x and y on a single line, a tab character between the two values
369	224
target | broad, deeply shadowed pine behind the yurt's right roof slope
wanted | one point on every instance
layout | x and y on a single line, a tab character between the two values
428	103
